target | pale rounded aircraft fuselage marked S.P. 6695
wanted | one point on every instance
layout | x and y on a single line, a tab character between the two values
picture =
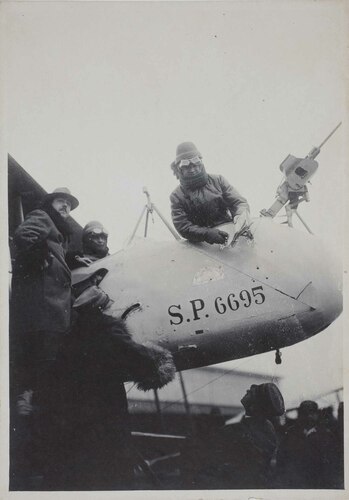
209	305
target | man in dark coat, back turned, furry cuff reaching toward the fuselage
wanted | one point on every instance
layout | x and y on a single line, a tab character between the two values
99	357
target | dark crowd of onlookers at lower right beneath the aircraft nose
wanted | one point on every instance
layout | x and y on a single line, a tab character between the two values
266	450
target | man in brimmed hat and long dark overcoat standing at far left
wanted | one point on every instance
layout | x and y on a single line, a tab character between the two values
40	320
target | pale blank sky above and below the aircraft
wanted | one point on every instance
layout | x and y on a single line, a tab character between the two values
96	97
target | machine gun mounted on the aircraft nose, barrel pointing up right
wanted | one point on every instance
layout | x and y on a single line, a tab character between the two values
293	189
